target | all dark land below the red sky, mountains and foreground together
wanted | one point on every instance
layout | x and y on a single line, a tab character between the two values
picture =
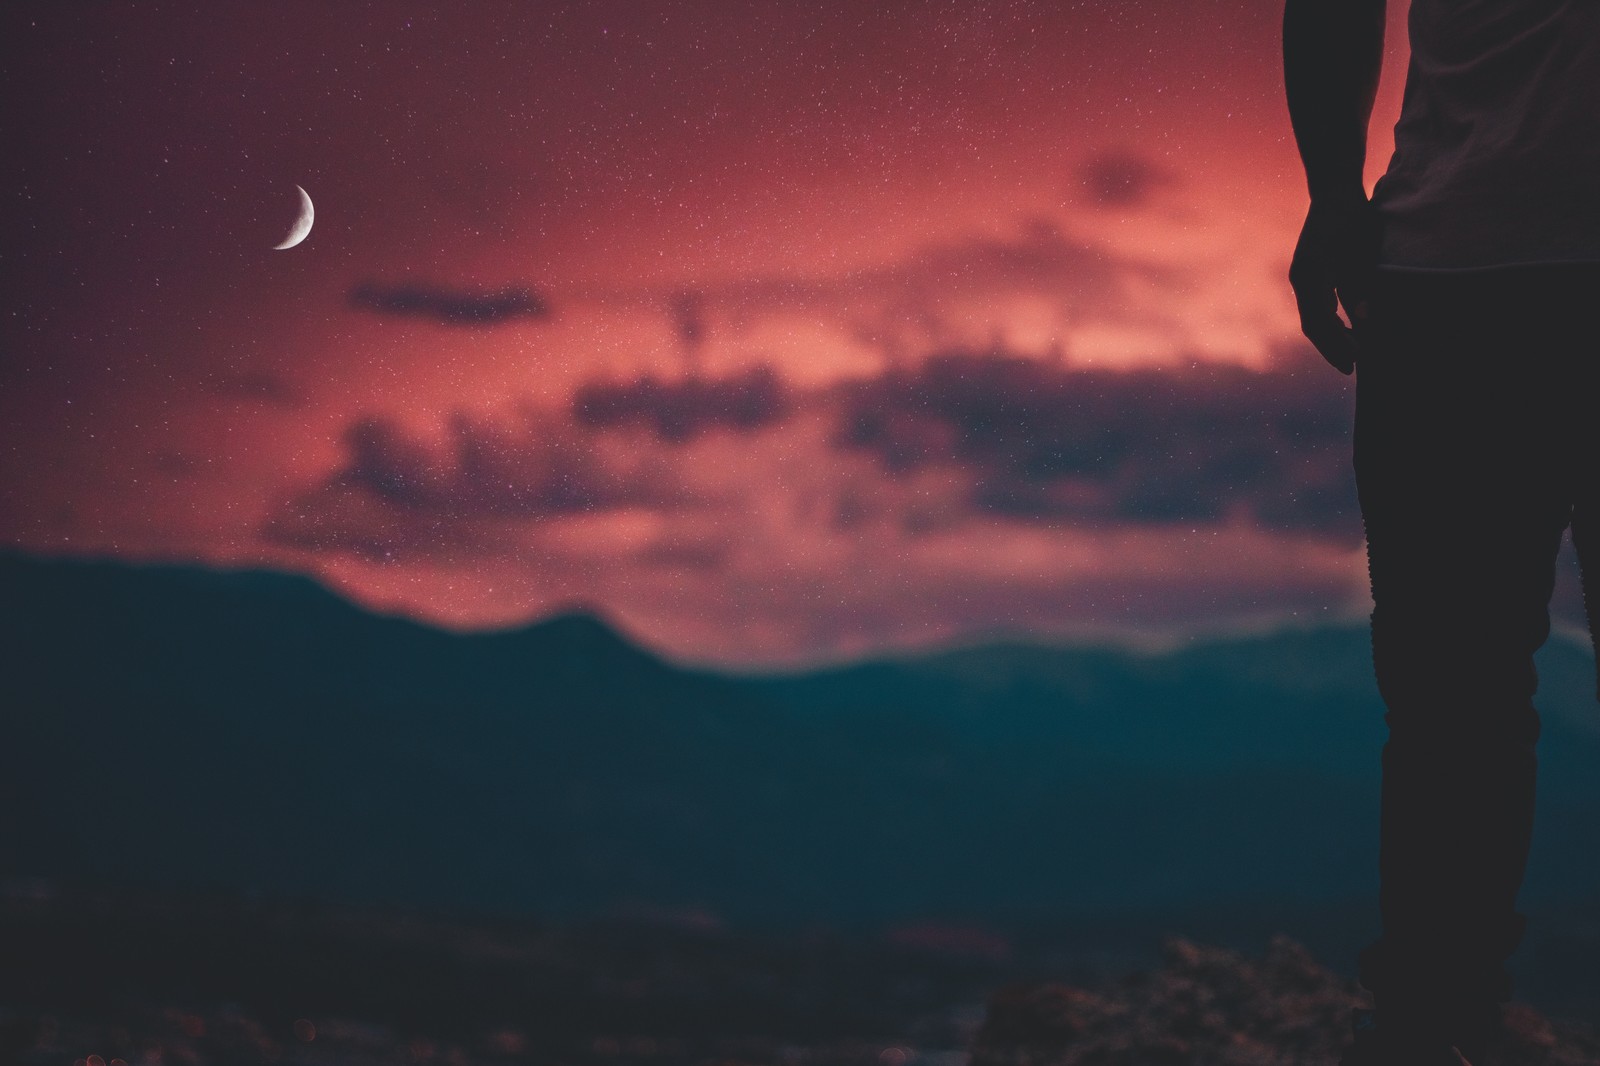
249	822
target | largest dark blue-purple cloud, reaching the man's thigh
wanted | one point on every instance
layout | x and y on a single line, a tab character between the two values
1049	443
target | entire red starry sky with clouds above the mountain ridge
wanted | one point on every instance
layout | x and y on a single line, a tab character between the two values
775	332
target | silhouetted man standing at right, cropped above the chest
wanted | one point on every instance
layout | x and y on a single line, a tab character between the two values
1471	281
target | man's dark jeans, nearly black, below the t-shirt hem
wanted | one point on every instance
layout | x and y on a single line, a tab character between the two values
1478	441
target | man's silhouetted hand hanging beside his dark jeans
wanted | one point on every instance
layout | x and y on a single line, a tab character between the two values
1334	265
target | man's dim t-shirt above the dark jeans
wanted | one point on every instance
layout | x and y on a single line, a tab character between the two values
1498	145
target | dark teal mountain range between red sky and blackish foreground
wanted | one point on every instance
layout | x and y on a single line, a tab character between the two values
178	726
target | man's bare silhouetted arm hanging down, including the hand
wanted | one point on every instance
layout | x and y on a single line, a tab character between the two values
1334	52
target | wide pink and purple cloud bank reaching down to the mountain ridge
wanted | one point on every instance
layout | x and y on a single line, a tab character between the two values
980	489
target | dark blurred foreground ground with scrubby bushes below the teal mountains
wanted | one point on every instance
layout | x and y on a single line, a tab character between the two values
118	979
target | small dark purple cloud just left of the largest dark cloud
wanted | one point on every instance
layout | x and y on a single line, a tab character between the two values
679	411
